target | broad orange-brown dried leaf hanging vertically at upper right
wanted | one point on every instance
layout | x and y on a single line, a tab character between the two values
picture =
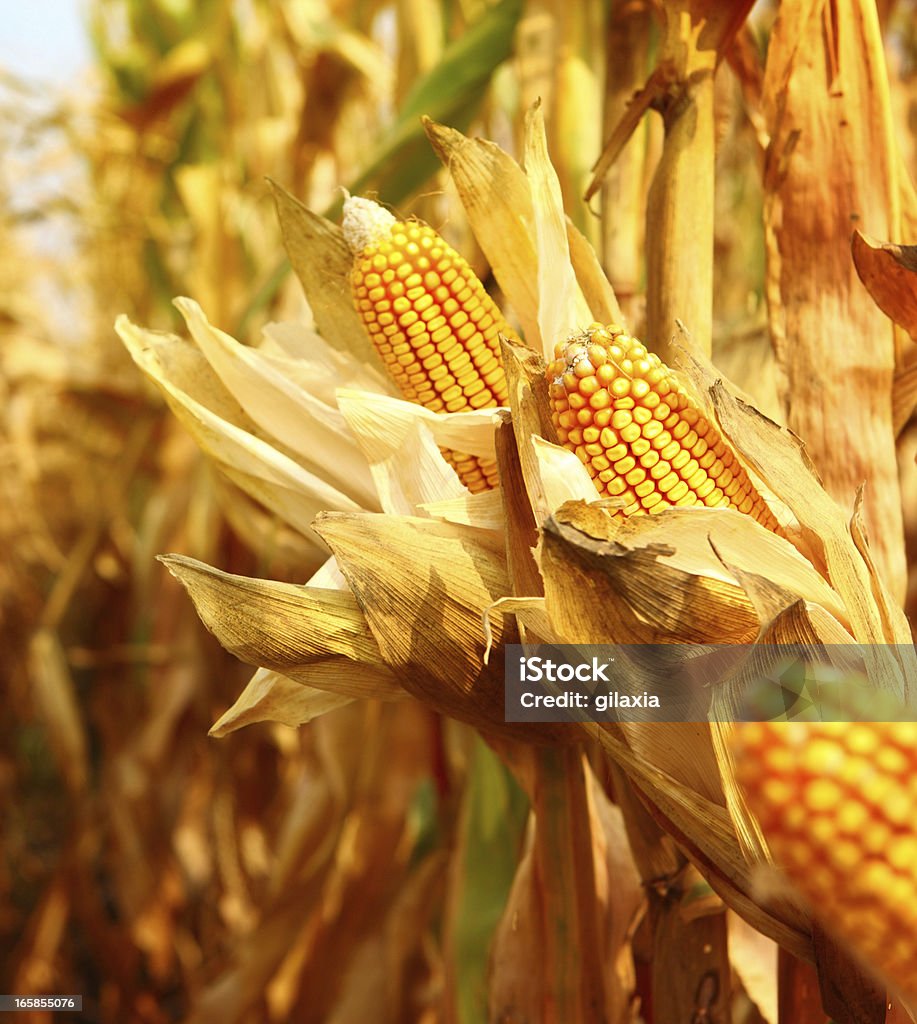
832	166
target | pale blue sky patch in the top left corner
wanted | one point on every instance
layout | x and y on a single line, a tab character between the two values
43	40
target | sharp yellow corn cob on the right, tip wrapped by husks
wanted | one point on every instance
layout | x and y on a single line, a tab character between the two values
640	436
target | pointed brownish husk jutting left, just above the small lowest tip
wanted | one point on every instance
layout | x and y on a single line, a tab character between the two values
318	637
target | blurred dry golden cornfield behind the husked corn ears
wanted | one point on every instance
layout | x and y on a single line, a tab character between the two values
383	862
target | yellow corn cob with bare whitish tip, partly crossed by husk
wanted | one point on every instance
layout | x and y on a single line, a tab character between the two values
430	319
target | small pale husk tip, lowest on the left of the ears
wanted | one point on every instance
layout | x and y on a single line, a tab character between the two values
271	697
